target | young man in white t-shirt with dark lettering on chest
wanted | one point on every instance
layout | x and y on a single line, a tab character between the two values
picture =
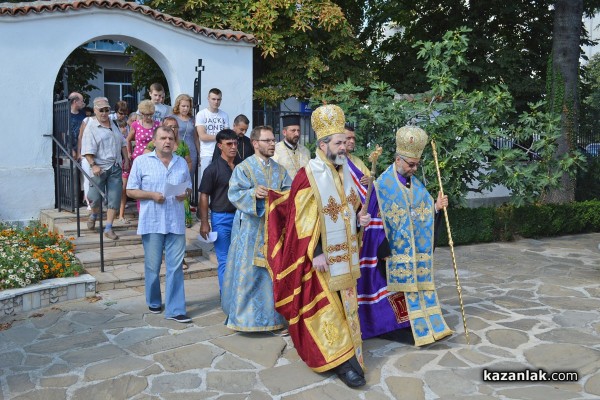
209	122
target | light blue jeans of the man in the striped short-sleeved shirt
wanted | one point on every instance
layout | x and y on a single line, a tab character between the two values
174	247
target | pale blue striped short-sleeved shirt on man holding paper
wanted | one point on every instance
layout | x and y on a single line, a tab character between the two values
148	173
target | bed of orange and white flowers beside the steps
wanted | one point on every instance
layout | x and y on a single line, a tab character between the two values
31	254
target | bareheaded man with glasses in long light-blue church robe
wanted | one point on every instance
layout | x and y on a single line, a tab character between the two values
247	293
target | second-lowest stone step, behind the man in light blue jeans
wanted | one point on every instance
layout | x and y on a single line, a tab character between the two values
122	255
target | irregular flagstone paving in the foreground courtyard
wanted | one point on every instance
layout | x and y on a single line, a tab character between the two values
530	304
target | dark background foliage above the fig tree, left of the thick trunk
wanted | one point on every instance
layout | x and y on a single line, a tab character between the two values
510	42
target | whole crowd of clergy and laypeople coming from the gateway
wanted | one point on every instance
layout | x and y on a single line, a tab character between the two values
298	251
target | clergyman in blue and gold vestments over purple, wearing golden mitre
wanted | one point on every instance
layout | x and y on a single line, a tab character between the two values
396	289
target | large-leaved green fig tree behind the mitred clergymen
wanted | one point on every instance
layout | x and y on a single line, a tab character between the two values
477	144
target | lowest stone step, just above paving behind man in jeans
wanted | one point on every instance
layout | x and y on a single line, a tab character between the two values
132	275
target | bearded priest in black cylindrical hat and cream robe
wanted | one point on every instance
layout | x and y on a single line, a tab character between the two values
290	152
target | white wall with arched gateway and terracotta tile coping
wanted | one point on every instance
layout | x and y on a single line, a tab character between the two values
38	37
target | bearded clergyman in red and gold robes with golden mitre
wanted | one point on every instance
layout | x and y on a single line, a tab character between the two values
312	250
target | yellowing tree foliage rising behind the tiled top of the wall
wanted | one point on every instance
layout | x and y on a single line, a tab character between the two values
304	48
